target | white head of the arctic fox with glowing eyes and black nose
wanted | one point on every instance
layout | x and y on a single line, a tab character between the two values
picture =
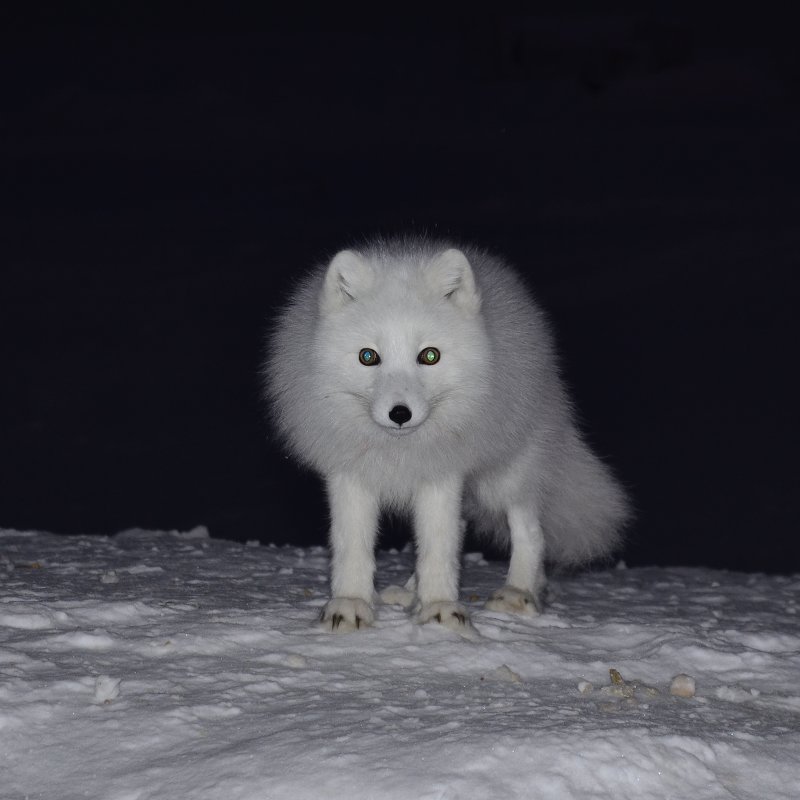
402	341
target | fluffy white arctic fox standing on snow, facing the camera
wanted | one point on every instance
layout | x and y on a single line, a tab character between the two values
415	376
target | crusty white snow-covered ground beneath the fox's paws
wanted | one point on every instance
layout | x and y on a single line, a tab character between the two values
153	665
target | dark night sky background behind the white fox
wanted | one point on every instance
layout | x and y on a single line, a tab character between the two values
164	179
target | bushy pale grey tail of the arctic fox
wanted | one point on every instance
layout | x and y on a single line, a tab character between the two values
585	508
